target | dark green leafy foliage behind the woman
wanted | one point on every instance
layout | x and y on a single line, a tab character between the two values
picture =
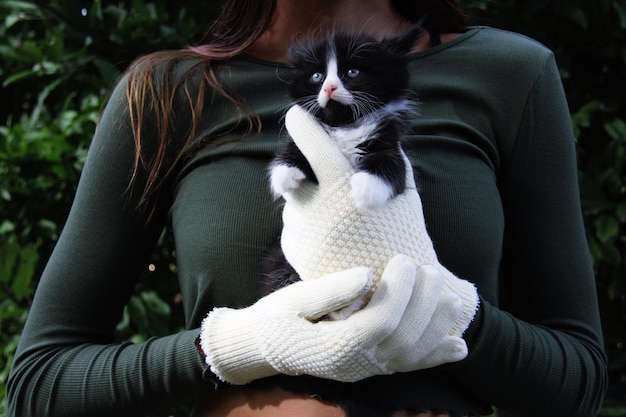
60	59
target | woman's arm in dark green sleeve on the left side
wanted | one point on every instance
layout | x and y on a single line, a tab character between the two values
67	362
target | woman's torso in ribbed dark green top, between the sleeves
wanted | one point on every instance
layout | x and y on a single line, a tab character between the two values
458	146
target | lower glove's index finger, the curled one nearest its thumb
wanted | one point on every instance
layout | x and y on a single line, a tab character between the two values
380	317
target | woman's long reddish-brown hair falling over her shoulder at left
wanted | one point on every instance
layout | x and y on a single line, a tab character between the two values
240	23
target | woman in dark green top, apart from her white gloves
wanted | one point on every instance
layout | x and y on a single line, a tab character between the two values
186	139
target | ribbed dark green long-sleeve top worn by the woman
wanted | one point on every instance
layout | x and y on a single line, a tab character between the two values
494	158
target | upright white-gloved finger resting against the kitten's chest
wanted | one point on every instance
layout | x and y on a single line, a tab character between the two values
322	152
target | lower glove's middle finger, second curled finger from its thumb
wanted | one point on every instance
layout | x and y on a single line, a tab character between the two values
417	317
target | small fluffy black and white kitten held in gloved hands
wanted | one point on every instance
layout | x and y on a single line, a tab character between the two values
357	87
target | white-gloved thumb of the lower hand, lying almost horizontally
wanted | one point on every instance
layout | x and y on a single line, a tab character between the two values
315	298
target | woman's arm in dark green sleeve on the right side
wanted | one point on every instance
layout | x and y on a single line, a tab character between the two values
542	353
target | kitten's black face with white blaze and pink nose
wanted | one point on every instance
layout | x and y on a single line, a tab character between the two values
346	77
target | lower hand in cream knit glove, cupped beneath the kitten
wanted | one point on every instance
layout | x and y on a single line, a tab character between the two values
405	326
